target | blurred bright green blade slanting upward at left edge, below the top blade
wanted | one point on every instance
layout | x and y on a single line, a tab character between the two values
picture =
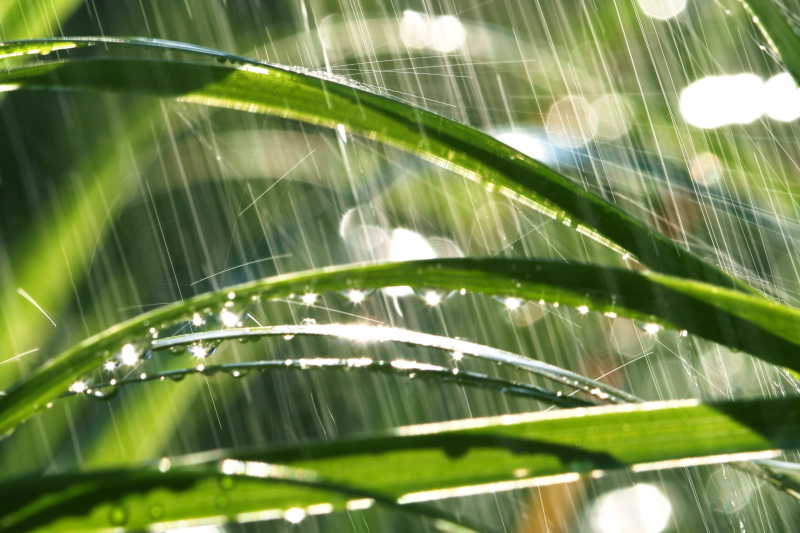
75	229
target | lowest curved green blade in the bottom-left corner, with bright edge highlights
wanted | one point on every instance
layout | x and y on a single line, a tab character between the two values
141	498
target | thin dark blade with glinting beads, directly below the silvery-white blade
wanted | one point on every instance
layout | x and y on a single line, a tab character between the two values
397	367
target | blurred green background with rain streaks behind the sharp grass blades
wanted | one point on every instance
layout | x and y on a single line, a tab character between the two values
112	205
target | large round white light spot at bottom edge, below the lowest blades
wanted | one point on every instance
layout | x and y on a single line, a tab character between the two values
642	508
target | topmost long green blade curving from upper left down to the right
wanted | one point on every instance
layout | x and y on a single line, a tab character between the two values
269	89
